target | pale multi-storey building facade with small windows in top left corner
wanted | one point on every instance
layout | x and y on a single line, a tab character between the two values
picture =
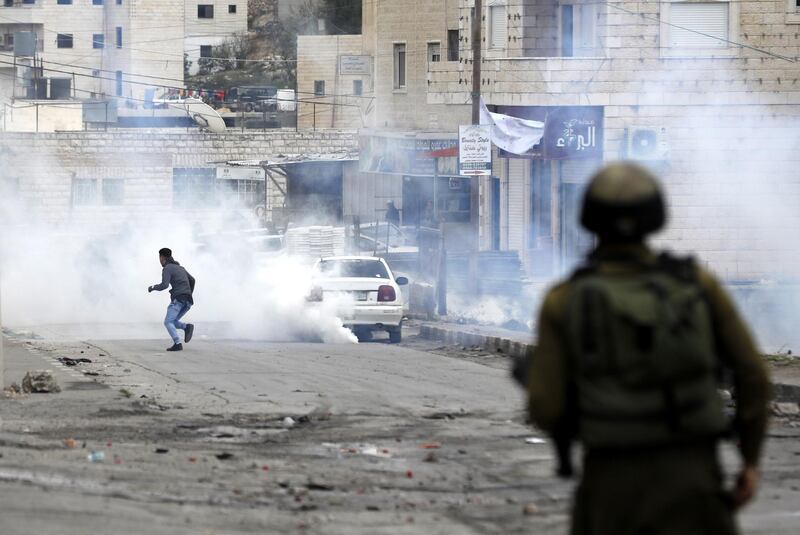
127	49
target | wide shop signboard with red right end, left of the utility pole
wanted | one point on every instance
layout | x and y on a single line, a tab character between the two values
408	155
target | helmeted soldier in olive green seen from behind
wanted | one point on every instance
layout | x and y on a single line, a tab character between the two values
630	352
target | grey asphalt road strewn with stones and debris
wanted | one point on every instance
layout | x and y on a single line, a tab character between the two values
400	439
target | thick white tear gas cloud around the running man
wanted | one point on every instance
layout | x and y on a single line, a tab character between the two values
96	276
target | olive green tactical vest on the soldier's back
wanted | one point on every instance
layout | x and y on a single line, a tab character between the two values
643	356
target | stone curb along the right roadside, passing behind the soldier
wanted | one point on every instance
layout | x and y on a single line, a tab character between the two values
781	392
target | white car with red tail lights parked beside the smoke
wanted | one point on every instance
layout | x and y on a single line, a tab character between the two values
366	293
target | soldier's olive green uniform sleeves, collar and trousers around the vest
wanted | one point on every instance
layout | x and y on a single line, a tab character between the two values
663	489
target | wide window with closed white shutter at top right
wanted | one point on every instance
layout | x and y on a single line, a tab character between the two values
691	20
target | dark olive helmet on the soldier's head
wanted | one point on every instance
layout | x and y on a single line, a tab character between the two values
623	202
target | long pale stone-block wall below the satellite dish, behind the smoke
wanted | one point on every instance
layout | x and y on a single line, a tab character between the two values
45	165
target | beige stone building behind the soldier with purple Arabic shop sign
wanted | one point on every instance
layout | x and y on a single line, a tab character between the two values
705	92
